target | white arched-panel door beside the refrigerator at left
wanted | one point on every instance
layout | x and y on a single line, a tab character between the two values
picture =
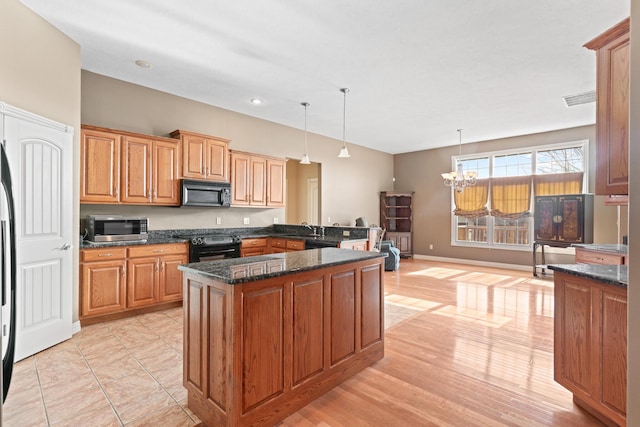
40	157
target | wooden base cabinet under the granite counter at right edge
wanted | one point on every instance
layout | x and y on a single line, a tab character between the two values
590	344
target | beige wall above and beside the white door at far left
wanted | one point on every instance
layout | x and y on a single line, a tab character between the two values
40	72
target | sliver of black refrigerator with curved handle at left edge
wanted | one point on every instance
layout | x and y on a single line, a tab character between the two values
8	271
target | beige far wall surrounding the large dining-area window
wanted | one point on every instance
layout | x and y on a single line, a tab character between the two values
420	172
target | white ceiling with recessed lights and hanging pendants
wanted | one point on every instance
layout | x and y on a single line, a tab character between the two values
417	70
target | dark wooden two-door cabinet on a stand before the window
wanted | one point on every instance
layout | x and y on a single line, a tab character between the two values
561	220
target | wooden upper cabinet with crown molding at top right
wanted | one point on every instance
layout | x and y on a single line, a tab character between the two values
612	105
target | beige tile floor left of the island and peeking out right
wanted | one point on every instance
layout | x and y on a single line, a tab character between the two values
124	372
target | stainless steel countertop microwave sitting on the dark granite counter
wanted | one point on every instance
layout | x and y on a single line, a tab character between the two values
116	228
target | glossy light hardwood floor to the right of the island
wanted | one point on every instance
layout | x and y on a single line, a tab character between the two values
477	350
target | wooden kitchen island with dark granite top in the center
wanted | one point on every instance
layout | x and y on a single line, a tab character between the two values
266	335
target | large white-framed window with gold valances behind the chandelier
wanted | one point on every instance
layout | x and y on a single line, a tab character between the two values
498	212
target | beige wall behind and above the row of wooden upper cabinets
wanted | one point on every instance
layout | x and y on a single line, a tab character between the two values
349	187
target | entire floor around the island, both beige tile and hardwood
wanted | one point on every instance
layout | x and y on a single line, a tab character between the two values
464	346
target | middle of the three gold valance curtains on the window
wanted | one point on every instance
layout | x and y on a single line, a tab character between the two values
511	196
